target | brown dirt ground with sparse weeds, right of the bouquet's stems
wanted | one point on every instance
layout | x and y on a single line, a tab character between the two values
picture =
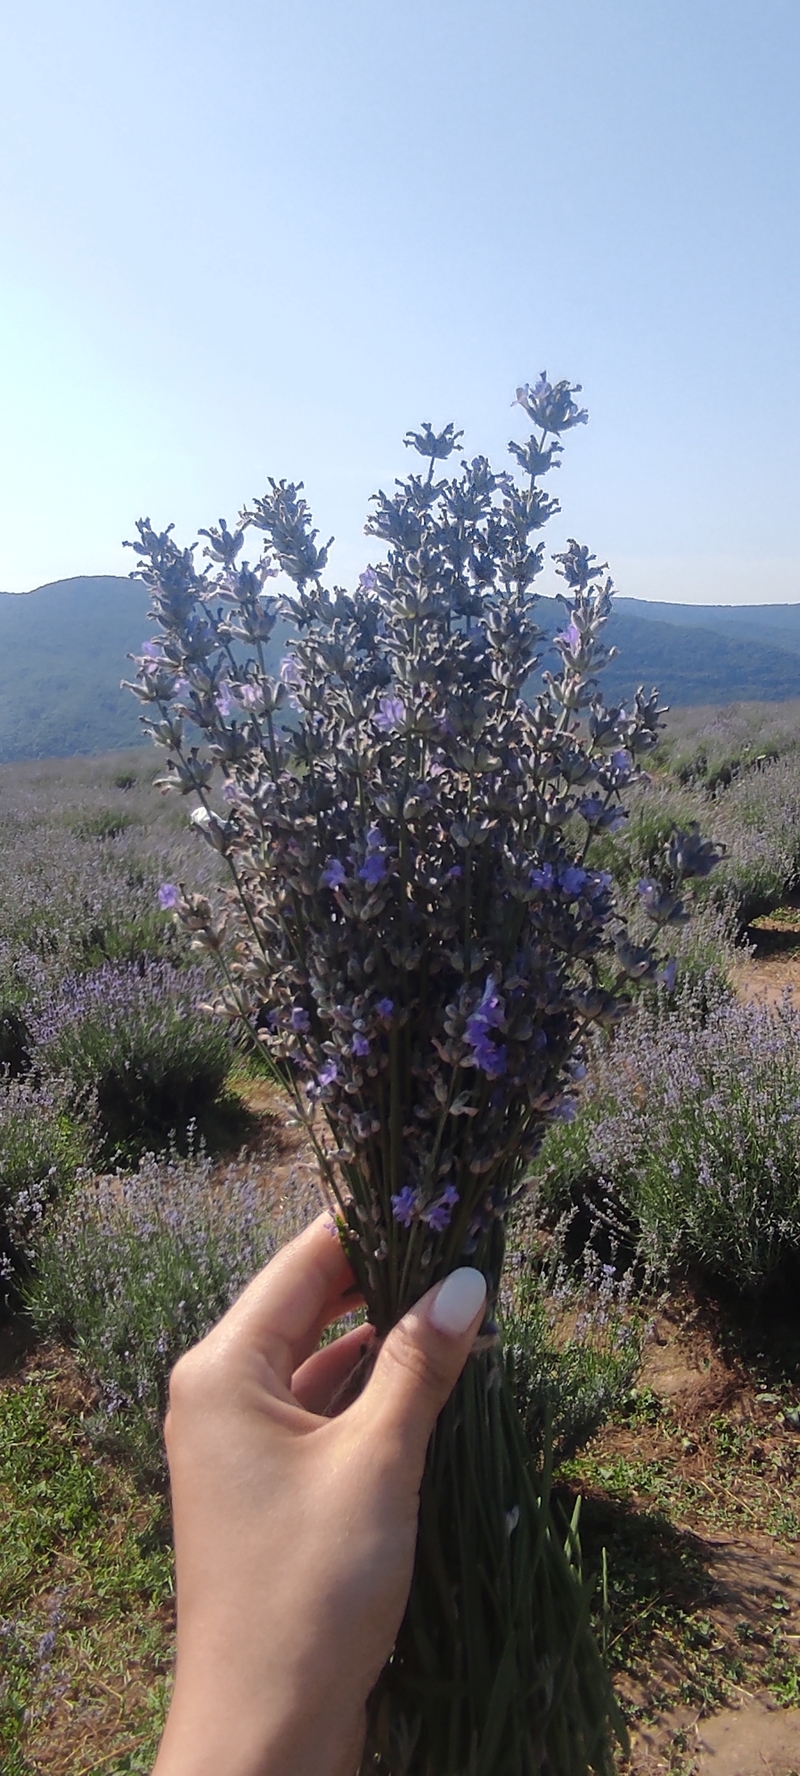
717	1450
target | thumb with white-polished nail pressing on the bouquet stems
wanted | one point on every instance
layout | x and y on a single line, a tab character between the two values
420	1363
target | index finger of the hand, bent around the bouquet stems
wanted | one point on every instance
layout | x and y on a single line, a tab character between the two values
285	1310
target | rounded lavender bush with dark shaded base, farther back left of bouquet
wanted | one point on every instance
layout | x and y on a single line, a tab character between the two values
140	1043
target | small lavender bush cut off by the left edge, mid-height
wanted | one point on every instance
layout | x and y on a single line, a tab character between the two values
42	1148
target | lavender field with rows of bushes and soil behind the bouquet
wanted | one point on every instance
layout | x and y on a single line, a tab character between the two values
148	1166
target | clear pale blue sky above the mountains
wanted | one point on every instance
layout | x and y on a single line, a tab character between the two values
266	239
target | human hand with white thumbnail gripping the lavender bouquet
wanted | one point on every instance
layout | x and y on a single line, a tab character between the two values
294	1532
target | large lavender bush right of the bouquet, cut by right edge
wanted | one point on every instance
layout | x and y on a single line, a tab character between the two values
691	1132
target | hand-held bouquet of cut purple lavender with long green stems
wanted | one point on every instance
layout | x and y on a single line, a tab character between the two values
417	937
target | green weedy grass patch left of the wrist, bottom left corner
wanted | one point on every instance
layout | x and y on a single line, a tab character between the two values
86	1590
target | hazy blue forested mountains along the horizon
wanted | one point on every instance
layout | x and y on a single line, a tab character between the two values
63	653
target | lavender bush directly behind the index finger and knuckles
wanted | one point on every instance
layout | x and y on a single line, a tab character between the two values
138	1269
